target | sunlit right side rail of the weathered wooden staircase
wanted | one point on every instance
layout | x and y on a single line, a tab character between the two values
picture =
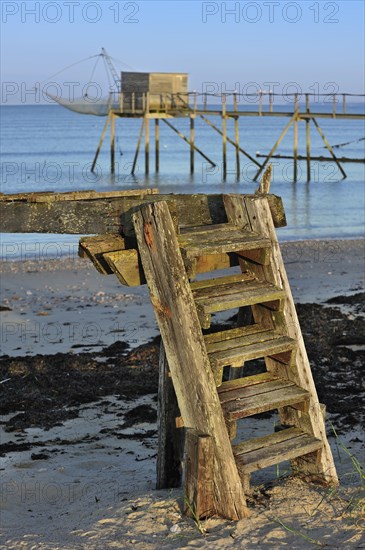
261	221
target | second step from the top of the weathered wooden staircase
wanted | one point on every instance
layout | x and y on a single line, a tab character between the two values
229	294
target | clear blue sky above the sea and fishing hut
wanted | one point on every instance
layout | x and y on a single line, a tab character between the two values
316	44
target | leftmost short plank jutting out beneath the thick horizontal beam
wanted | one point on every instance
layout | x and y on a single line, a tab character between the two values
94	248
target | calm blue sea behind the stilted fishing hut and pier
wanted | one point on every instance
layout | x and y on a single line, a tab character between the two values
48	148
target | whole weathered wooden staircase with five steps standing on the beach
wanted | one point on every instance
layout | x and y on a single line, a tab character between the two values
206	366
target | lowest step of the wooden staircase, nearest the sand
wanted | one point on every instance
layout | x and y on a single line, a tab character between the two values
262	452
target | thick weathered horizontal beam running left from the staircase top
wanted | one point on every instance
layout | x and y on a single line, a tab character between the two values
99	213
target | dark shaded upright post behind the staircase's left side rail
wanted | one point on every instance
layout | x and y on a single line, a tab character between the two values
170	437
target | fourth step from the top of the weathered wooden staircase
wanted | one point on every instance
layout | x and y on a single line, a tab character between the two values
264	402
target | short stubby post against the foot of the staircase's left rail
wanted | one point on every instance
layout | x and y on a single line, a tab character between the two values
198	494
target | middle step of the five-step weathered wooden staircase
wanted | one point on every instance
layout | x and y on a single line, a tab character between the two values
247	345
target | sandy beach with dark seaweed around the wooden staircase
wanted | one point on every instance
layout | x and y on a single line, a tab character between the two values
78	376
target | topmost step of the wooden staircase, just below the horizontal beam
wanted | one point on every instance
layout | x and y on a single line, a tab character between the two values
217	239
